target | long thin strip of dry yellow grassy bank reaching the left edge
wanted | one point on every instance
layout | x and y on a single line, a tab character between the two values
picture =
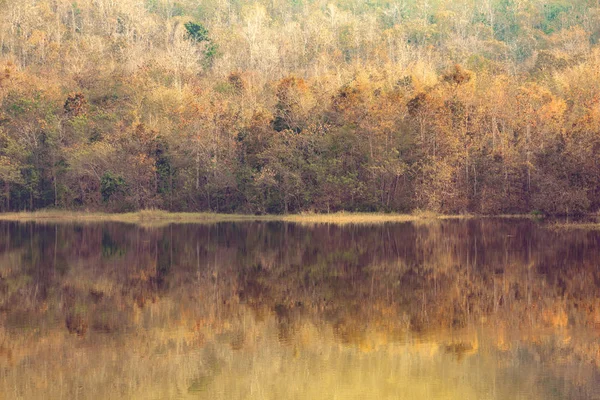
157	217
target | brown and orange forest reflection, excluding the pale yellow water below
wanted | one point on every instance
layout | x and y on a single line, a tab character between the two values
532	292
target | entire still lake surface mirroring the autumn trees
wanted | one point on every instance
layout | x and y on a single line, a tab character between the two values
466	309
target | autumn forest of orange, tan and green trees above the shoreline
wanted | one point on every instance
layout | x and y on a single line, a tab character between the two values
285	106
